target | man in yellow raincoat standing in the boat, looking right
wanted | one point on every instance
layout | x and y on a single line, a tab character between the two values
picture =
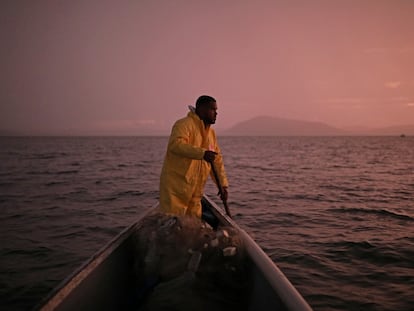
191	148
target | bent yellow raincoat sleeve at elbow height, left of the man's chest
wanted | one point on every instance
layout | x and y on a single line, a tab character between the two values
179	142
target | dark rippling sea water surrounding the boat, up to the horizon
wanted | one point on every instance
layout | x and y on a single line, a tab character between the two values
335	213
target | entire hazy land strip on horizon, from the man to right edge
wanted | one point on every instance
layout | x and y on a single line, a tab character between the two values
273	126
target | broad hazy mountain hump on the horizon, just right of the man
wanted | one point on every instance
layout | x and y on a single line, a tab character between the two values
272	126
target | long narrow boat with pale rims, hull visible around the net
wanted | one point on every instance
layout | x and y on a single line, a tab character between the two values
104	282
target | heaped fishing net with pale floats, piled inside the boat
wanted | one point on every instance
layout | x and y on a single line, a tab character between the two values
182	263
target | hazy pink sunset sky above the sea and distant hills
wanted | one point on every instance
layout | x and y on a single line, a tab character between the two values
111	66
